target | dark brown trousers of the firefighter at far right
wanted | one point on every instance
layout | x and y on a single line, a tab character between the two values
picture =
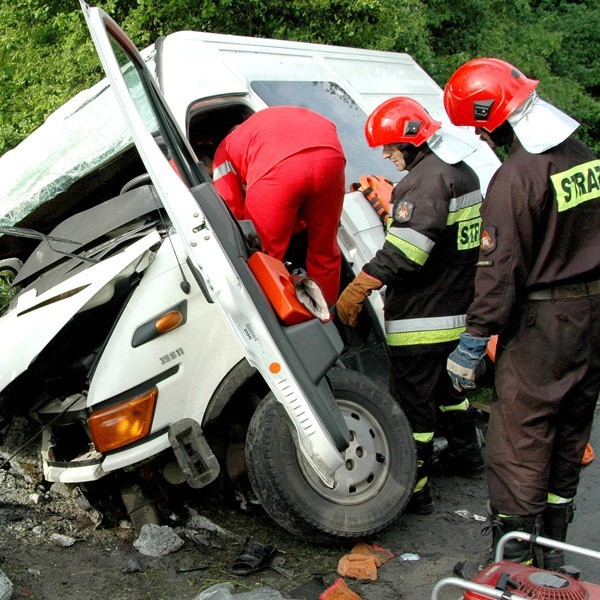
547	381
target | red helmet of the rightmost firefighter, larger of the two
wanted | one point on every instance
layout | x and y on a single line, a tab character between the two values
484	92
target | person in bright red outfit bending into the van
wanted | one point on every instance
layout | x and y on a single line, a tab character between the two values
283	168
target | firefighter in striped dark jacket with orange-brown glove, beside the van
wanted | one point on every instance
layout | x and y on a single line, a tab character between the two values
427	264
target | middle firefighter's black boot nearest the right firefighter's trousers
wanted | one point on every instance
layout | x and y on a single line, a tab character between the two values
464	455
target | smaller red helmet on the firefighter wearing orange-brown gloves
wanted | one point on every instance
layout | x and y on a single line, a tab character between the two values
399	120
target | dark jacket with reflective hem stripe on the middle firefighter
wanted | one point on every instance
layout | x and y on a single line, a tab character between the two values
428	259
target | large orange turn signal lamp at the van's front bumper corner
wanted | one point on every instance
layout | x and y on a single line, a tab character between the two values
123	423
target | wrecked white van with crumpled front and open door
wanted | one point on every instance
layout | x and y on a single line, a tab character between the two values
141	336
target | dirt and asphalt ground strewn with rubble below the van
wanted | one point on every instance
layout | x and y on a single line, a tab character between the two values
96	566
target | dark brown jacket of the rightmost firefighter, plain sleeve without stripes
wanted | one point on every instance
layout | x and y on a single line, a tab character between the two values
541	220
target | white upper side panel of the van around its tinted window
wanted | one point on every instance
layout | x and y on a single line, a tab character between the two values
193	65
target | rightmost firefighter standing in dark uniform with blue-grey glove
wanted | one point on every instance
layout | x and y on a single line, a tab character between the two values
538	287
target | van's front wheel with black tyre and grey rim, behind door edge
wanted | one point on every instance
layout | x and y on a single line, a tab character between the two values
372	487
